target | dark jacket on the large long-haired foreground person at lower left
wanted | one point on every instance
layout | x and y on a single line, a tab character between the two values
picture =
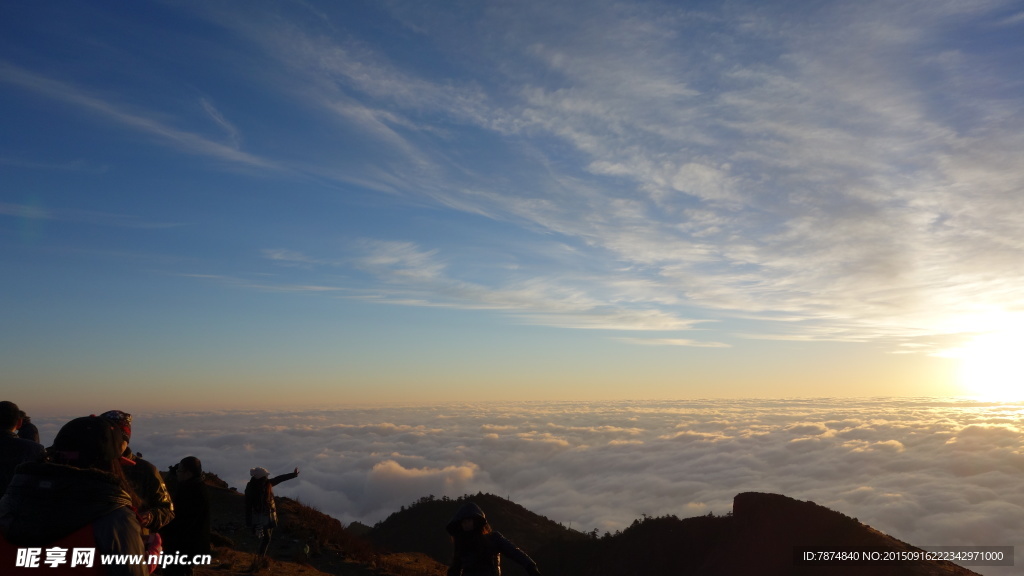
47	503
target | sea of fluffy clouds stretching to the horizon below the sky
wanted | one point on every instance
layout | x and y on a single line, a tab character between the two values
928	472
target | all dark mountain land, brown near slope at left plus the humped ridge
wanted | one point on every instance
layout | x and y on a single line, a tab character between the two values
757	539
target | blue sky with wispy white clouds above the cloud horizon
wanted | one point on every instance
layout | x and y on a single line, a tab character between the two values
251	205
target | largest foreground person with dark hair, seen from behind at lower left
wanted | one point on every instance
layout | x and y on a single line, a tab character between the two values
76	499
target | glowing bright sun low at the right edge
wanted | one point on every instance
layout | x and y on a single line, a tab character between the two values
993	365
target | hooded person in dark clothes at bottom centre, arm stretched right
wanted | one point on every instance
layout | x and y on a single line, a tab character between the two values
479	550
